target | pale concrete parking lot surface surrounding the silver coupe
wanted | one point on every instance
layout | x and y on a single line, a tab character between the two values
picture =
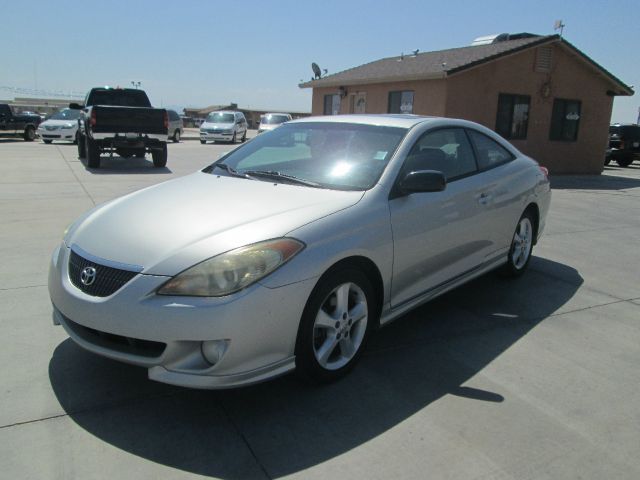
536	378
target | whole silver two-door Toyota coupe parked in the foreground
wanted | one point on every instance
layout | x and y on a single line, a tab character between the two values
287	252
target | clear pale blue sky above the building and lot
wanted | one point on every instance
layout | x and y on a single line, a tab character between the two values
200	53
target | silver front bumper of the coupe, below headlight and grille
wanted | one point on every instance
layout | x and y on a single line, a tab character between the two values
166	334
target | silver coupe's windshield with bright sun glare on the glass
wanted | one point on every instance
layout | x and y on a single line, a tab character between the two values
340	156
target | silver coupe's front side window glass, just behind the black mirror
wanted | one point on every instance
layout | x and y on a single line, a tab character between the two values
446	150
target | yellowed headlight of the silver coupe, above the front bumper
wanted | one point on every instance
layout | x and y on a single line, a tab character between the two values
234	270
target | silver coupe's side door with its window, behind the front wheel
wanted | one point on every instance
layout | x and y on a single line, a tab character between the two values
438	236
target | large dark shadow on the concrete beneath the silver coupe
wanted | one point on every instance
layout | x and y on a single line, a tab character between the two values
287	425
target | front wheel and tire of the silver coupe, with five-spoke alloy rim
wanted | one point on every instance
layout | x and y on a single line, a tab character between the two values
335	325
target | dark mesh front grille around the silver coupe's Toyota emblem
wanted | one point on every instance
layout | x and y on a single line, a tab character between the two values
107	280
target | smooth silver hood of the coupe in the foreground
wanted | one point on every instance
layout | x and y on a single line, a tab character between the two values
171	226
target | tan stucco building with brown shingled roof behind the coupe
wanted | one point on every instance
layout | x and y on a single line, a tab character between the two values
540	92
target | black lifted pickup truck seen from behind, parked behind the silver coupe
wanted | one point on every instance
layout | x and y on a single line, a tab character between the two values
121	120
